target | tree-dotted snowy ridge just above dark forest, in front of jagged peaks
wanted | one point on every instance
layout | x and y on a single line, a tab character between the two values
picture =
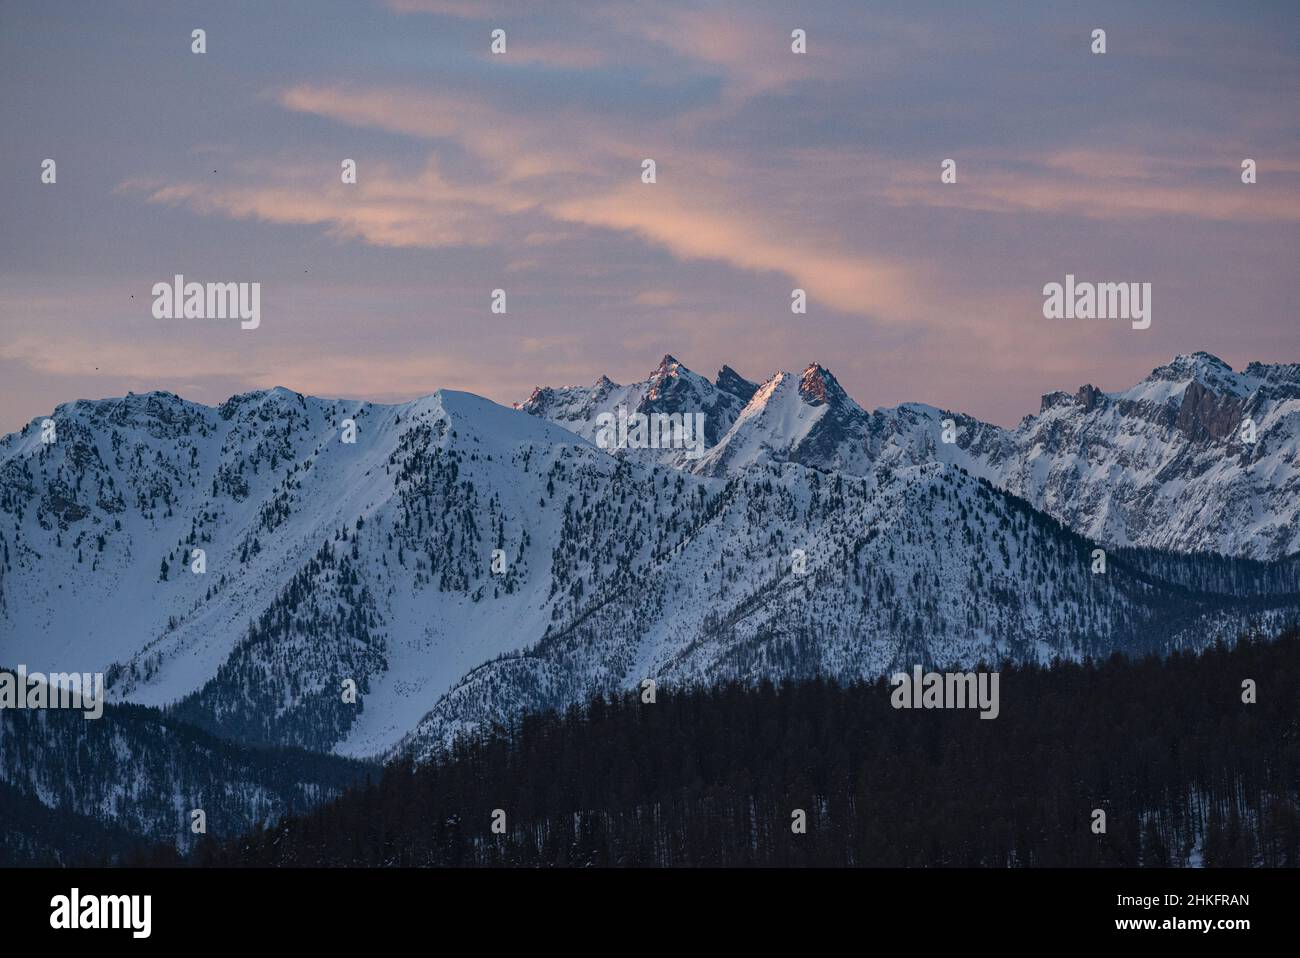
786	573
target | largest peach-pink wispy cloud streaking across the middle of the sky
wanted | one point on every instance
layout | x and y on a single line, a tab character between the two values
697	215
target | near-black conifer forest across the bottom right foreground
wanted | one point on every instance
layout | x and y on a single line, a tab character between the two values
1185	771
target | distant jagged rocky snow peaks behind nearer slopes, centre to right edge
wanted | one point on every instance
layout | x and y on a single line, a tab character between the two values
1168	463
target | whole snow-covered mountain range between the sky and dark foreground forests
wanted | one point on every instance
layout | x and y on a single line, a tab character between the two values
463	562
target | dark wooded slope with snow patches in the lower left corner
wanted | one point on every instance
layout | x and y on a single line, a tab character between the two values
93	791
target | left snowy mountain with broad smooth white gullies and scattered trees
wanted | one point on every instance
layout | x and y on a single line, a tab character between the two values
326	561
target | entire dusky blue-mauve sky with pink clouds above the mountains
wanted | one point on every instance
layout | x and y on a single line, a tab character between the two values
523	171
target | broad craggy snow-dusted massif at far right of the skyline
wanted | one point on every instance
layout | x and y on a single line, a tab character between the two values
1164	463
